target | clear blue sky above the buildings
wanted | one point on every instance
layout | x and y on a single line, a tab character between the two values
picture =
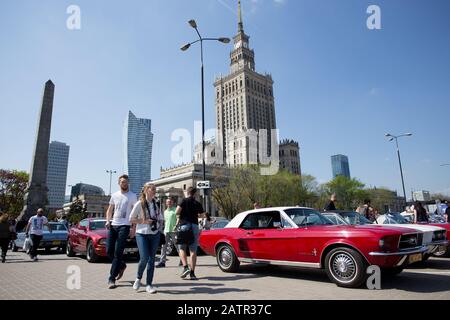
338	86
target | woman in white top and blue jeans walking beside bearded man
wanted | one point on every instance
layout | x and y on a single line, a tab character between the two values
149	226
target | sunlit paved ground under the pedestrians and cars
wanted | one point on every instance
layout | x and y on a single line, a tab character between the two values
21	278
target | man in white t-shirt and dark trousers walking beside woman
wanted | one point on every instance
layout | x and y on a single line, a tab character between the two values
118	224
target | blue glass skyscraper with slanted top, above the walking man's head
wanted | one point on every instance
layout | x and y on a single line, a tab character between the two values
138	144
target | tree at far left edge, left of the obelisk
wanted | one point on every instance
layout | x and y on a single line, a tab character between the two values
12	191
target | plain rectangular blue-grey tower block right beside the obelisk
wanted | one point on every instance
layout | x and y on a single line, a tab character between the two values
58	158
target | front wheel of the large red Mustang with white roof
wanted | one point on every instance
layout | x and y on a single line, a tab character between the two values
346	267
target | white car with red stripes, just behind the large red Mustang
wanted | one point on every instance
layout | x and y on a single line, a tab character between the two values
433	237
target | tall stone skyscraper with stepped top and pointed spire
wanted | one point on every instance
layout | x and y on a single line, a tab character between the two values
244	104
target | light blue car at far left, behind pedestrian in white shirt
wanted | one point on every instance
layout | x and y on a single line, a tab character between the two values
55	239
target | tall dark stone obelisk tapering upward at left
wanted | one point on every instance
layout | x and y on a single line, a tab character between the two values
36	193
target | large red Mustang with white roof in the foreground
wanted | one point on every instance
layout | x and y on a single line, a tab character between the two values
305	238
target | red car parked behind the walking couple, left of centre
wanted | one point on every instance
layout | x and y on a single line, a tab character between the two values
89	237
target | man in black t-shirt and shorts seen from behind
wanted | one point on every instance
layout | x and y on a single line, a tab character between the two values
188	213
